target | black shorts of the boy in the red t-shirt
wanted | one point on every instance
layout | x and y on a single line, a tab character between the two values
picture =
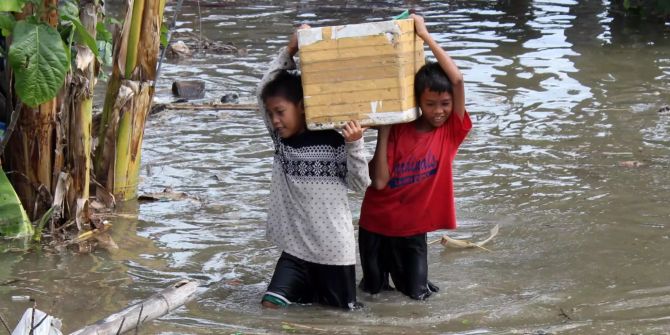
405	259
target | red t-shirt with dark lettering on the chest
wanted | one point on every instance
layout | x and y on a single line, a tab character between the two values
419	196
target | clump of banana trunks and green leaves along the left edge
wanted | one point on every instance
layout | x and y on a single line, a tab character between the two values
54	51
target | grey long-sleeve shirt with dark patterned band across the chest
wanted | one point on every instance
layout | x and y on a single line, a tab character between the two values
308	214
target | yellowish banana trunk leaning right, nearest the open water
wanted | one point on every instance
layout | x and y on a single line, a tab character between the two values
128	100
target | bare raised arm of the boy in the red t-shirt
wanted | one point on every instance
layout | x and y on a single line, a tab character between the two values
446	63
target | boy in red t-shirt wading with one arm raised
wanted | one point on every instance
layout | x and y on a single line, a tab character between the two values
412	187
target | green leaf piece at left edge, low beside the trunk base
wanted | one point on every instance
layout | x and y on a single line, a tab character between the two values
14	222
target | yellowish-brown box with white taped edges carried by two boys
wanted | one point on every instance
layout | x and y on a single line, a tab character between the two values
361	72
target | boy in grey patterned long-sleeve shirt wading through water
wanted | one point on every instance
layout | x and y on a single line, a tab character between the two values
309	217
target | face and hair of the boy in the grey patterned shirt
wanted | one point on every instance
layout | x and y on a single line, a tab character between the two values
287	118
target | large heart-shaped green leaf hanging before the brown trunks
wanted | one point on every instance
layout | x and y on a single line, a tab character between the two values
39	60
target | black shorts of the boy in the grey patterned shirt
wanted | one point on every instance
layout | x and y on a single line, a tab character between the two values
302	282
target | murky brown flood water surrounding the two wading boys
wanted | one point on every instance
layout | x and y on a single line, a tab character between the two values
560	93
